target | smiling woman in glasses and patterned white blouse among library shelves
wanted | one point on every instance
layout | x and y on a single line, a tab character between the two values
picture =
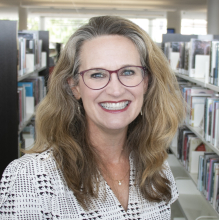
111	111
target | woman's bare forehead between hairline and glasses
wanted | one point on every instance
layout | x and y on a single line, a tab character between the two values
105	50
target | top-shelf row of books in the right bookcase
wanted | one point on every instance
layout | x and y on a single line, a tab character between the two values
196	58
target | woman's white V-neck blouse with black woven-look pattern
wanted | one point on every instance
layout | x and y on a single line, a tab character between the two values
32	188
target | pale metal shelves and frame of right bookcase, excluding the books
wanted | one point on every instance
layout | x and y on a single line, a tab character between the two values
192	202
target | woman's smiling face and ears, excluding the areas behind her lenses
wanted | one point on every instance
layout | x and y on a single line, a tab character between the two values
111	53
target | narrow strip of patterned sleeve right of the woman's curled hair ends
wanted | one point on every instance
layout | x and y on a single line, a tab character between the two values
169	175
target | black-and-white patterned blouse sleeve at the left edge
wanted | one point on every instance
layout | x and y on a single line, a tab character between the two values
18	196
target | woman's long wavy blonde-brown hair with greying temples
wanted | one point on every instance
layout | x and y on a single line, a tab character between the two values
60	126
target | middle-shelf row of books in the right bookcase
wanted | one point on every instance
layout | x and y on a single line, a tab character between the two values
202	110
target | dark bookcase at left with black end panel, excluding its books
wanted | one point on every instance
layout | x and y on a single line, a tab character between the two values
9	129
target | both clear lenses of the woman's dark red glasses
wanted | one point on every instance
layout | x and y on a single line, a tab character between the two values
128	76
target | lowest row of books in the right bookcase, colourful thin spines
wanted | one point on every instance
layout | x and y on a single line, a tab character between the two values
198	159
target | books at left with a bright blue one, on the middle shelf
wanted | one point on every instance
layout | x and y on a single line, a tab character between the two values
30	92
